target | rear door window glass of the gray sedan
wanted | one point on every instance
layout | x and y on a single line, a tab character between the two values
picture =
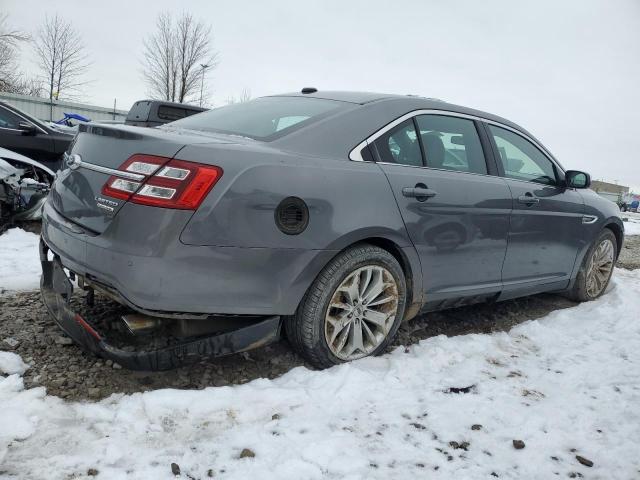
451	143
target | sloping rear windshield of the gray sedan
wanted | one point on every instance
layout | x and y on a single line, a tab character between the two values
265	118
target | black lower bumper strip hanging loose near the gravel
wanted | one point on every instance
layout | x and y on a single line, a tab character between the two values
56	289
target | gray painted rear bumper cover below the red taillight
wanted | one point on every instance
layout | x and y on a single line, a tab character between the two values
153	272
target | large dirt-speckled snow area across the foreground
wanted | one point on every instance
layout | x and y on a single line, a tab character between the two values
567	384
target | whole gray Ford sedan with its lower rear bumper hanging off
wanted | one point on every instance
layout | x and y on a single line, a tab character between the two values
333	216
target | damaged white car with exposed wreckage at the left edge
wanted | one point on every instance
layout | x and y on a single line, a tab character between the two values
24	185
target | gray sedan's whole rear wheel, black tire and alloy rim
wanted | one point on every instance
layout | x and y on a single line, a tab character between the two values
352	310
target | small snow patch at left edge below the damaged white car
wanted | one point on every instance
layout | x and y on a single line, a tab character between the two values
19	261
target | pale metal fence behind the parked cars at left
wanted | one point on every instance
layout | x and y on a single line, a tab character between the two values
52	110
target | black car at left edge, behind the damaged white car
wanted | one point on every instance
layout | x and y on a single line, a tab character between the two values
24	134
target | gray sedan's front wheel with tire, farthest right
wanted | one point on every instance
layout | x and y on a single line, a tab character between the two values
596	269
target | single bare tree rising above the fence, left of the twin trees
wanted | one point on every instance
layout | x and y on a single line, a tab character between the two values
61	57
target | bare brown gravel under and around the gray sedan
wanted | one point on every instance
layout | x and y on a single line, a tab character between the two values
66	371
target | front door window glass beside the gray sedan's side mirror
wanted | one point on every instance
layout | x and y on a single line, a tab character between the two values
521	159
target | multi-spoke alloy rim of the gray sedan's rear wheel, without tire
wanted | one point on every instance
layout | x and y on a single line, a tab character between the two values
361	312
